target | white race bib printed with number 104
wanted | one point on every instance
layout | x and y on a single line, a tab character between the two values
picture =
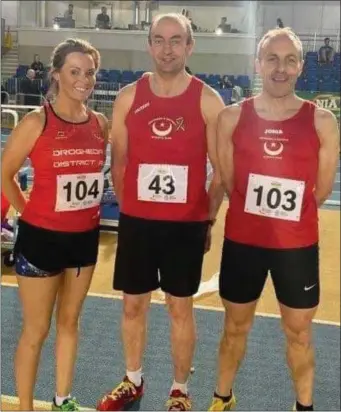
78	192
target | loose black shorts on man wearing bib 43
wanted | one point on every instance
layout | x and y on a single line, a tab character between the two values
152	254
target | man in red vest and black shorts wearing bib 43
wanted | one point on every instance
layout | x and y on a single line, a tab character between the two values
164	129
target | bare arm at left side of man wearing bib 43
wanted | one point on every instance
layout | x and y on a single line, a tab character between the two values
119	138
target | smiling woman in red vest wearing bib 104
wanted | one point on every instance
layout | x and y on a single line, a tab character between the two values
57	244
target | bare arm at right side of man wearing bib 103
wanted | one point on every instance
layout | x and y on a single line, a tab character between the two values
329	153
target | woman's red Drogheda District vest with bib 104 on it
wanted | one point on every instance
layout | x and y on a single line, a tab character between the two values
67	160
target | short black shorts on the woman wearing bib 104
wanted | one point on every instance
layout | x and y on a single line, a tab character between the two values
41	252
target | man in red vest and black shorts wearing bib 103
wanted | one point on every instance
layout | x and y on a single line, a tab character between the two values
278	156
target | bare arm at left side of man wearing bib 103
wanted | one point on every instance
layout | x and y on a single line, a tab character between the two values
227	123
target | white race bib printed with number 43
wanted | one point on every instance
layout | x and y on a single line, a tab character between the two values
162	183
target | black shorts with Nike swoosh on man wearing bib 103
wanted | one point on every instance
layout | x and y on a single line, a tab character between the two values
294	272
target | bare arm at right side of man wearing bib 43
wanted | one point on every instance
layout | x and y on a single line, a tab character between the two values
212	104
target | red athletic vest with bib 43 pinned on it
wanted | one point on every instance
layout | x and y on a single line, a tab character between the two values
165	175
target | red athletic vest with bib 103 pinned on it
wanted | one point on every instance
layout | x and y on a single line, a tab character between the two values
275	169
